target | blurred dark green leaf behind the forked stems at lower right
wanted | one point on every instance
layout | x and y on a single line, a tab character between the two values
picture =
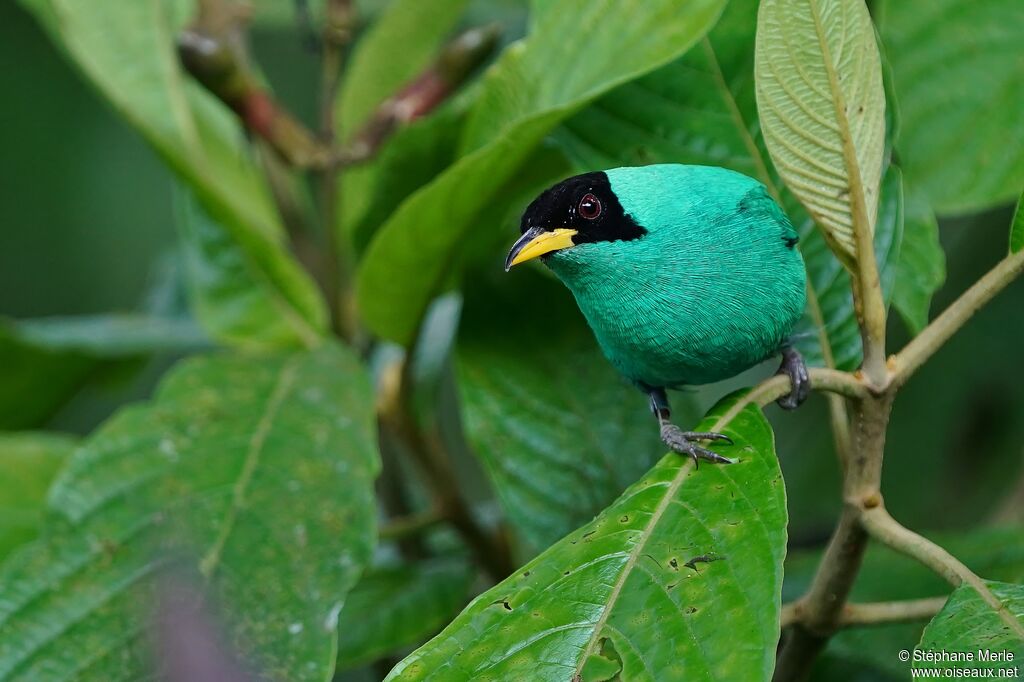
887	576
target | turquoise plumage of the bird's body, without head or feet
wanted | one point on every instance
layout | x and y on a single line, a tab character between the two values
714	288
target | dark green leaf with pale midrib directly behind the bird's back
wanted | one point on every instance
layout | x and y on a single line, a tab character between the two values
653	120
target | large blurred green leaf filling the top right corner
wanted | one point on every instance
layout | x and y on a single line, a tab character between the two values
959	76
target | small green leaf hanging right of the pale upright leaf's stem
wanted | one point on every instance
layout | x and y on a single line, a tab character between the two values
922	266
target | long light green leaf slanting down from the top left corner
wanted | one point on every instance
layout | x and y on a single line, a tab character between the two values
127	52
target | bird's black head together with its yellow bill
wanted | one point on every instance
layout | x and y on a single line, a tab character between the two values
576	211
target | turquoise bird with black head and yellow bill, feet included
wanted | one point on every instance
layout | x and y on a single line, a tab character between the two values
687	275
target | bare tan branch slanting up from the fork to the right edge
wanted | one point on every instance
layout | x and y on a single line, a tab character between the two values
925	345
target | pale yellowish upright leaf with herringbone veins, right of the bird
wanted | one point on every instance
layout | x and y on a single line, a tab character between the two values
823	110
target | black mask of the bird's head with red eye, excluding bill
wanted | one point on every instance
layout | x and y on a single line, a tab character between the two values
586	204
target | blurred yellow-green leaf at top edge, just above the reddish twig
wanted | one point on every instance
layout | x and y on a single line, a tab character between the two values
403	42
